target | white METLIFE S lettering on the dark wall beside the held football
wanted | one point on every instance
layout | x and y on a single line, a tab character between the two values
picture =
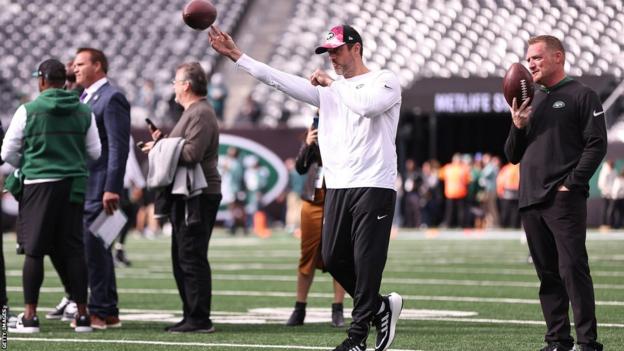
478	102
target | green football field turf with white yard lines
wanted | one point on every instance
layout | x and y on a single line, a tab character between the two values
463	290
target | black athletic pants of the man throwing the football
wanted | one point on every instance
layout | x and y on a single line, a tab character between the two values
356	234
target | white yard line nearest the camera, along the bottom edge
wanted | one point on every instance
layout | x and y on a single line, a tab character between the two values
170	343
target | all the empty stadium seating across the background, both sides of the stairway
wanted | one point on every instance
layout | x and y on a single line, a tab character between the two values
414	38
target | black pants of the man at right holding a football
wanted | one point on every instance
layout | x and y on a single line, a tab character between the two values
556	232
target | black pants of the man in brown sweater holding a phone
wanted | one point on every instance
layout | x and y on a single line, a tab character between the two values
189	256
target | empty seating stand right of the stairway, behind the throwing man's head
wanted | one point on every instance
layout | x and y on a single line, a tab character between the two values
473	38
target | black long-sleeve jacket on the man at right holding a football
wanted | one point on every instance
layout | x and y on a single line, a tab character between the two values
563	143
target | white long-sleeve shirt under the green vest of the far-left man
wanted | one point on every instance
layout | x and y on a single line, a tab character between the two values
13	143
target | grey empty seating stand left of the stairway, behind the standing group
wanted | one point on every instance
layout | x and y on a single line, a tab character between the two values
143	39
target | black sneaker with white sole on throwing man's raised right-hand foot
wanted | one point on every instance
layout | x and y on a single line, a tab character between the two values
385	321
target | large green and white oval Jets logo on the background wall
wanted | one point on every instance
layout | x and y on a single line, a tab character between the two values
273	174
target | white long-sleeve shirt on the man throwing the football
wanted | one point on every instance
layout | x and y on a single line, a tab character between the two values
357	125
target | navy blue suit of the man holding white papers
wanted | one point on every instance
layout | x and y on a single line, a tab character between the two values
112	115
